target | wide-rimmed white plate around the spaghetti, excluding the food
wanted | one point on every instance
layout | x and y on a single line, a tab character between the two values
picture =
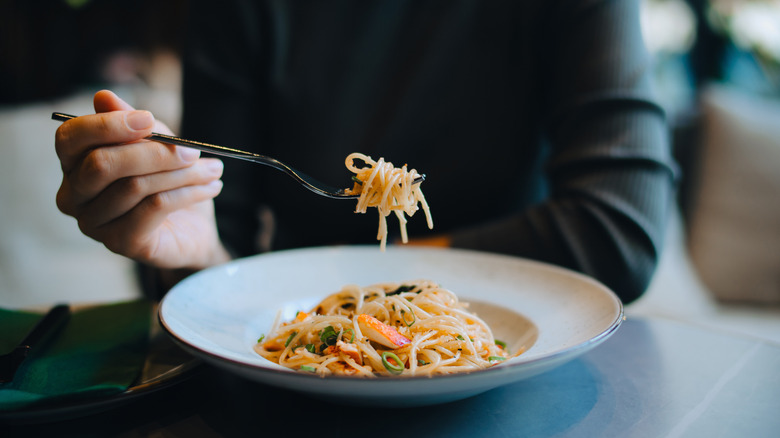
556	314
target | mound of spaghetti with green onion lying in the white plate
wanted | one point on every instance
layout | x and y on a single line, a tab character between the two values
409	329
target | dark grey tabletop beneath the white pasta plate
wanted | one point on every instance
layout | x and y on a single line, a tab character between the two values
654	377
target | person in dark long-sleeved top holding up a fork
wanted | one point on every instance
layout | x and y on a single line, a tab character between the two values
534	121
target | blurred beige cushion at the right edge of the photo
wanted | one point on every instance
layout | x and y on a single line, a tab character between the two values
734	236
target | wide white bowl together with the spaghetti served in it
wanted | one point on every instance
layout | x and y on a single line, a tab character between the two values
406	326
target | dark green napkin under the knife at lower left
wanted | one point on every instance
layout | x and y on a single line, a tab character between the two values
100	351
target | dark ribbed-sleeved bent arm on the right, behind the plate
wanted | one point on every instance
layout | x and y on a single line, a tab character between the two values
610	169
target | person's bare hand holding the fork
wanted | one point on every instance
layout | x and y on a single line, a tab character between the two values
149	201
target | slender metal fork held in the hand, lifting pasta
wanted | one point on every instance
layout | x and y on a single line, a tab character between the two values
305	180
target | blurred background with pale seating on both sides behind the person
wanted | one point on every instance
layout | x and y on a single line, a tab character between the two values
717	71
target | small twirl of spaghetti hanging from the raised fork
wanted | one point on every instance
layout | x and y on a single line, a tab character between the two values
389	189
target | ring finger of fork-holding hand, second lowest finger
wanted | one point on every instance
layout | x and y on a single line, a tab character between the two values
124	195
